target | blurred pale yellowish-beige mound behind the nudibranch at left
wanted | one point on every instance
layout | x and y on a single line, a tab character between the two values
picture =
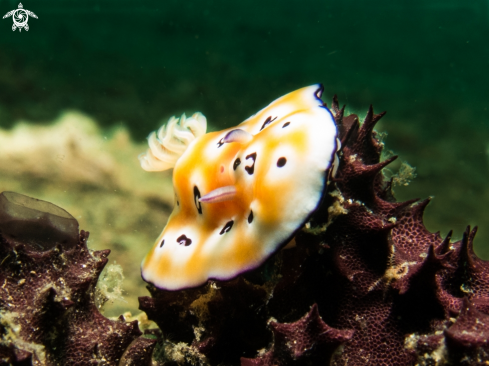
93	174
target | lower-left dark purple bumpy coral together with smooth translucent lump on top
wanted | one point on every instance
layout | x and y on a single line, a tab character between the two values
48	315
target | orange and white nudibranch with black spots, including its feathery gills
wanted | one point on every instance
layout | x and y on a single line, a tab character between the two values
241	193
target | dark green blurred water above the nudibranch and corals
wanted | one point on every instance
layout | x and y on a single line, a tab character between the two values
136	63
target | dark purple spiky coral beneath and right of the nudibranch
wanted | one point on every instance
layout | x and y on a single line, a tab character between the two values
366	284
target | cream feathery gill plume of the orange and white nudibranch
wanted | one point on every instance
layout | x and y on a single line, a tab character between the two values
171	140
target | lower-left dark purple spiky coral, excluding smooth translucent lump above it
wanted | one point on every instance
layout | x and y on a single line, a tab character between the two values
48	314
